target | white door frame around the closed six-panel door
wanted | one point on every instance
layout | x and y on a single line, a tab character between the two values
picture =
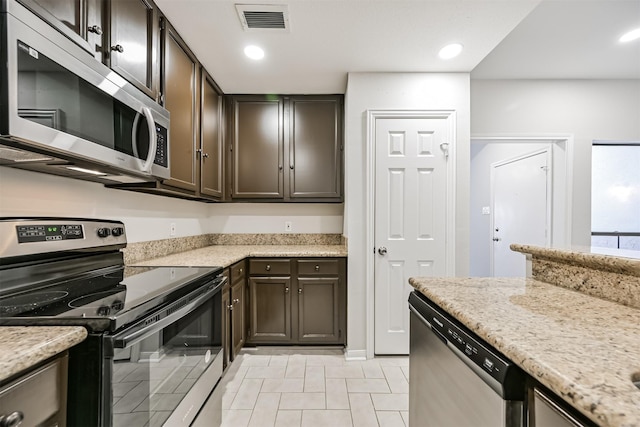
372	117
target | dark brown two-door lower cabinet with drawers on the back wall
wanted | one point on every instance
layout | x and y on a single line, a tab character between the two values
305	306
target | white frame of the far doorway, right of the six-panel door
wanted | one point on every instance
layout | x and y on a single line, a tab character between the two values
565	204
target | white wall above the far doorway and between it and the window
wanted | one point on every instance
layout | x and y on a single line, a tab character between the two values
587	109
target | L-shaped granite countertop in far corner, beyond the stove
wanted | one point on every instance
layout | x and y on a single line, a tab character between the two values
226	255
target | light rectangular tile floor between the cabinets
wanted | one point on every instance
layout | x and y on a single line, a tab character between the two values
314	388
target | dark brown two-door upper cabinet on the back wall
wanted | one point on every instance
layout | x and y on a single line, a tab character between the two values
286	148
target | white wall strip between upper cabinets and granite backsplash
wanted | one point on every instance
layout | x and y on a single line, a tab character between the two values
148	217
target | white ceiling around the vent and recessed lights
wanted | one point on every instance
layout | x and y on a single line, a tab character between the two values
329	38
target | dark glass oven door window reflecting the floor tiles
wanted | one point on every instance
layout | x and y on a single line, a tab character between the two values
152	377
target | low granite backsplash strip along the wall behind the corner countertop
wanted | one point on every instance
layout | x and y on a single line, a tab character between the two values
140	251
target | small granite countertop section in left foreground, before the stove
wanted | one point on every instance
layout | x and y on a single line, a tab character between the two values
25	346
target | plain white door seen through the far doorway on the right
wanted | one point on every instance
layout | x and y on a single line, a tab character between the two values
521	211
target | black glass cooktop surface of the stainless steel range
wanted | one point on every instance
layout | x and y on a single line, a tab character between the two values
104	299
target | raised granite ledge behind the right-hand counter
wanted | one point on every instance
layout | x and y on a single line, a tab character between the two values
612	278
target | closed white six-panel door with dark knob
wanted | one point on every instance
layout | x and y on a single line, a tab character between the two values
410	218
